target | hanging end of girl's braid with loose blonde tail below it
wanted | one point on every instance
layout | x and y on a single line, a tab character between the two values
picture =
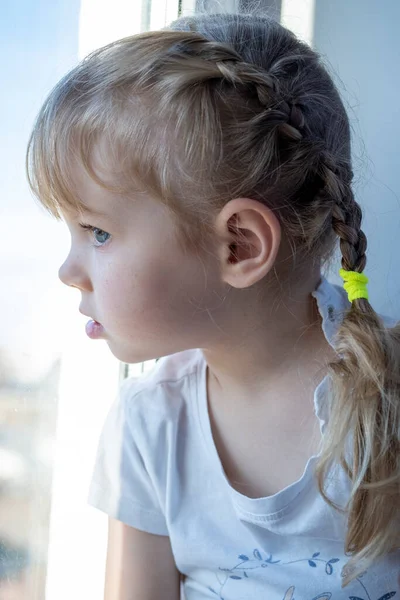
365	411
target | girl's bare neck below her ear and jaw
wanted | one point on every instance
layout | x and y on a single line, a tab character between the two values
281	348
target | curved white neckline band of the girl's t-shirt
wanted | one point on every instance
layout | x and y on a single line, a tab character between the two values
332	304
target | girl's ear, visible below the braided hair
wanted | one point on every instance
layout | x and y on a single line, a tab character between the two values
250	237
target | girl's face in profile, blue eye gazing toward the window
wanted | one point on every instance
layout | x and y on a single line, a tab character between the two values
150	298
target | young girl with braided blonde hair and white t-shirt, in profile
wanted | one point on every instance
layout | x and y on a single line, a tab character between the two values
204	172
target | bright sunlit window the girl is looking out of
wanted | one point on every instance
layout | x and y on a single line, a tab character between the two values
55	384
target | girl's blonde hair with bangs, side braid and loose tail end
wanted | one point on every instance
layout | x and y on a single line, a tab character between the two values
233	105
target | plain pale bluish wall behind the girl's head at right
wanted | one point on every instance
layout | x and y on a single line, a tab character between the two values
361	40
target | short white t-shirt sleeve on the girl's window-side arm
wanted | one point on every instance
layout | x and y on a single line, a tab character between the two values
121	485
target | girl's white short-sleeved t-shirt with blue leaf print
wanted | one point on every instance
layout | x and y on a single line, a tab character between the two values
157	469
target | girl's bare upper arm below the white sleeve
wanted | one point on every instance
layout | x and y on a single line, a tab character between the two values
140	565
